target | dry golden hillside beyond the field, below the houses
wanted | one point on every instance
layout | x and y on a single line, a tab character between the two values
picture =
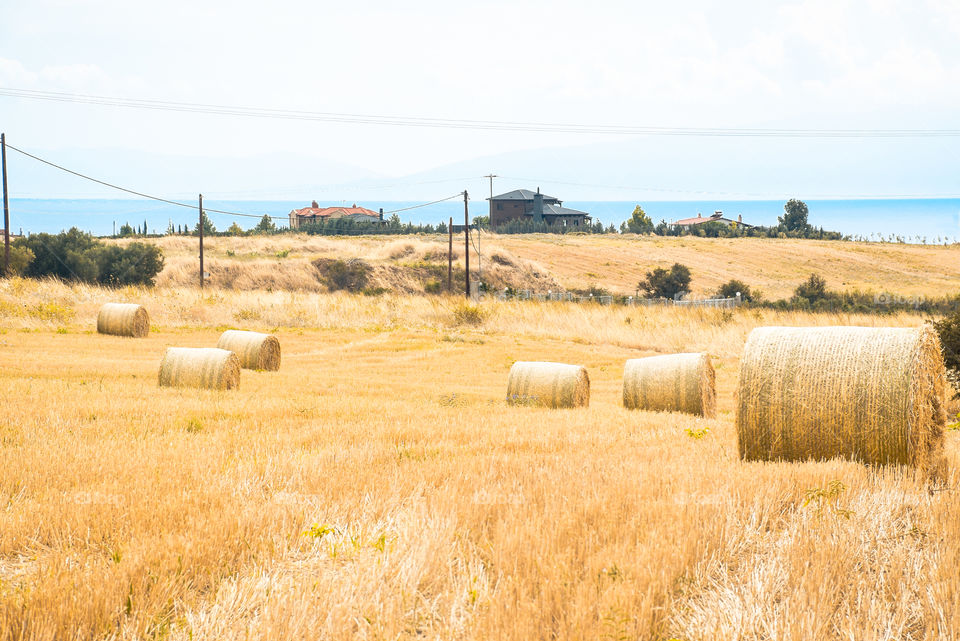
542	262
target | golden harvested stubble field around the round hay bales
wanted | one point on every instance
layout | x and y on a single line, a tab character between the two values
379	486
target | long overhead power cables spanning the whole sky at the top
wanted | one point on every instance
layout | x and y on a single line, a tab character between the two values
455	123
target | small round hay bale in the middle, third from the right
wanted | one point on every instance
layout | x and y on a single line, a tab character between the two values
548	385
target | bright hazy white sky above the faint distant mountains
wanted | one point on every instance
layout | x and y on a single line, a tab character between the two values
806	64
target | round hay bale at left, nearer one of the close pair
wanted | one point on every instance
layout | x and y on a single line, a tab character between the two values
205	367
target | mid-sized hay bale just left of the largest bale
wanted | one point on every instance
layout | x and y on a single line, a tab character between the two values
671	383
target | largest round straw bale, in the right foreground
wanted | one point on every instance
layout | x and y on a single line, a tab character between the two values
874	395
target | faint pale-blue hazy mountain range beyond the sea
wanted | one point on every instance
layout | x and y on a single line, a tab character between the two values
650	168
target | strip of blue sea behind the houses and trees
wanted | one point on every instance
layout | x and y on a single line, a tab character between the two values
928	220
